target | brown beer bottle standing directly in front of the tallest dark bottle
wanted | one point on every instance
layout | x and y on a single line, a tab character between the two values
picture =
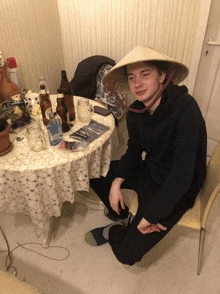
62	111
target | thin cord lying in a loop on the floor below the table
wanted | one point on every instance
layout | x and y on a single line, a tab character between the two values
9	259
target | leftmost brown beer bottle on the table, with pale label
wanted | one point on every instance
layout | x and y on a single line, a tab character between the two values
45	104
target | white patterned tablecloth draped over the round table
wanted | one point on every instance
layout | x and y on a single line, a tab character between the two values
38	183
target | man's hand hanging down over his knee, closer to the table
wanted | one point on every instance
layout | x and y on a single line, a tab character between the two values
115	196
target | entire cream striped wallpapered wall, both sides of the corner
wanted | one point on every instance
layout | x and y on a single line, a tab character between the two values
48	36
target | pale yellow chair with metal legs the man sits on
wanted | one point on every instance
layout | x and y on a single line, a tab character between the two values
196	217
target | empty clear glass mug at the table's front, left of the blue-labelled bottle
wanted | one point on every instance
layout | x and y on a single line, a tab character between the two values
35	136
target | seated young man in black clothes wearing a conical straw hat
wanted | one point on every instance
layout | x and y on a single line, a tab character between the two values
166	123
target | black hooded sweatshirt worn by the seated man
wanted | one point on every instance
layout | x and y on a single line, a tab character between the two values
175	141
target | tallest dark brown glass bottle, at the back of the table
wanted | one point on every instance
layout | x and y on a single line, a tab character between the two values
68	96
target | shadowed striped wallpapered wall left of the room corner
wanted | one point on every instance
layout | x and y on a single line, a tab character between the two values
30	32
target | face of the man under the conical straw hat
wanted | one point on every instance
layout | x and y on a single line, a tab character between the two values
144	81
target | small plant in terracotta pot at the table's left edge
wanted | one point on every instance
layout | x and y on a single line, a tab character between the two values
7	116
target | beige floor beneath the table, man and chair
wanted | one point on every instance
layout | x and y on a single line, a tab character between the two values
169	268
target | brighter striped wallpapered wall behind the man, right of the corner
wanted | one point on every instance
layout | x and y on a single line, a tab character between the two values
114	27
